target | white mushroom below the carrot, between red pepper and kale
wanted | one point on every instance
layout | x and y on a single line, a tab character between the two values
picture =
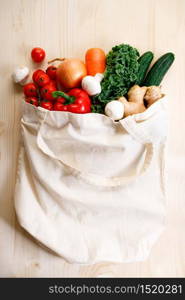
91	84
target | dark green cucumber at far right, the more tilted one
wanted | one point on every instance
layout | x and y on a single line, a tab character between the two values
159	69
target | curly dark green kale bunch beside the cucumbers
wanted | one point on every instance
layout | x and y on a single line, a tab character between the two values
121	73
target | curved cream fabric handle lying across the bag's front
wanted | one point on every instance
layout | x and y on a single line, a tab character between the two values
96	179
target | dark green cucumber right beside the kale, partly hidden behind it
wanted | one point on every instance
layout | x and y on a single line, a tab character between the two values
144	63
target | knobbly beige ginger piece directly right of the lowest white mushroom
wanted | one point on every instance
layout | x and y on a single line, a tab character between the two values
135	103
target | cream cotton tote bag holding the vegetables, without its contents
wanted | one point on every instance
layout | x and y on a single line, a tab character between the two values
92	189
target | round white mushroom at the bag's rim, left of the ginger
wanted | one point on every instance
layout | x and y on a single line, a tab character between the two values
115	110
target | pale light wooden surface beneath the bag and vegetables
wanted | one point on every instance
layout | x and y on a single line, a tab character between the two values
66	28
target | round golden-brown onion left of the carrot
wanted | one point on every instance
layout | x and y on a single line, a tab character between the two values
70	73
